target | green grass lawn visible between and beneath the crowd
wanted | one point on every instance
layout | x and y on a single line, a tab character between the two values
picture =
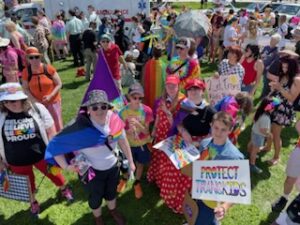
150	210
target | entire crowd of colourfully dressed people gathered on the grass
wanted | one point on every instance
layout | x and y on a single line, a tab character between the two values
166	97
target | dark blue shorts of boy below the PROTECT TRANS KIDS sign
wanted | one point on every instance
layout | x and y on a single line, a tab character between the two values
206	215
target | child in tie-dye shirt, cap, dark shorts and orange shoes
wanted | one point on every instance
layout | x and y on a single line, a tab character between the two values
137	118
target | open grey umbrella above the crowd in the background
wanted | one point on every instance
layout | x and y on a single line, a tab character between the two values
192	24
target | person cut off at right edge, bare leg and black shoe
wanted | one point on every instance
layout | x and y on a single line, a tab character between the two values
292	174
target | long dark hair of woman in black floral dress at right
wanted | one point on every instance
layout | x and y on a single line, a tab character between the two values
292	69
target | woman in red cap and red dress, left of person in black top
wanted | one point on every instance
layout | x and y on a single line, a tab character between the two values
165	111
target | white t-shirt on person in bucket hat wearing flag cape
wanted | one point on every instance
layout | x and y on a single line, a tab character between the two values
101	157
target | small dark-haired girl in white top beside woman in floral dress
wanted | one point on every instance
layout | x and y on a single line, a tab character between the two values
261	130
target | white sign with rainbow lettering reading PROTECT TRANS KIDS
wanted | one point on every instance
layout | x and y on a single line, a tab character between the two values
222	181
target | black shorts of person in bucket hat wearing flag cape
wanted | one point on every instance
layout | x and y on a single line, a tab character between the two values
104	185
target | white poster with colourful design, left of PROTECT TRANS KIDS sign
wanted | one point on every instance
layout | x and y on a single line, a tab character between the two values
180	153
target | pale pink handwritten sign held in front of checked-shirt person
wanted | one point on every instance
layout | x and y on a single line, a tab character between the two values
218	88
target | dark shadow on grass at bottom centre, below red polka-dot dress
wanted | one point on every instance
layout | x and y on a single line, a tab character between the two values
147	210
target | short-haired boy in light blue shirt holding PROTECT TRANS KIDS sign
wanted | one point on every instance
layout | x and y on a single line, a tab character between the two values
217	147
